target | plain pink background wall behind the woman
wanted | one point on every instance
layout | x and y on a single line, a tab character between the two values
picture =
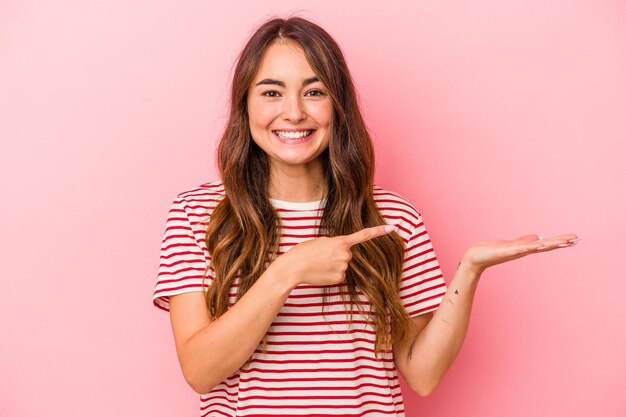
496	119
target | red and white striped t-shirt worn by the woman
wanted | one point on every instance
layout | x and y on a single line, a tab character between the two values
315	364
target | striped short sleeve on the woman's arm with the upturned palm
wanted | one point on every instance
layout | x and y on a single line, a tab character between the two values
422	286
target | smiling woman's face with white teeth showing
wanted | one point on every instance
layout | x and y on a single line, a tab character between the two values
290	111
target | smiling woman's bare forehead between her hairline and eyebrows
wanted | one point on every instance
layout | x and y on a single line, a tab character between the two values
284	60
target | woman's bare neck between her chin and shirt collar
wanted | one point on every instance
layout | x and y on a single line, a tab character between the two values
299	183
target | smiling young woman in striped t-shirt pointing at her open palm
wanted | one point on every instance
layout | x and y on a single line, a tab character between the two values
296	286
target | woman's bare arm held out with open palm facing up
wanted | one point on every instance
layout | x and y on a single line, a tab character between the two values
436	342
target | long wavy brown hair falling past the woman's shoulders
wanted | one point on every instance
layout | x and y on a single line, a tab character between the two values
244	229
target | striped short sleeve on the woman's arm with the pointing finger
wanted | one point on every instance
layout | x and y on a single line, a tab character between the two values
184	258
